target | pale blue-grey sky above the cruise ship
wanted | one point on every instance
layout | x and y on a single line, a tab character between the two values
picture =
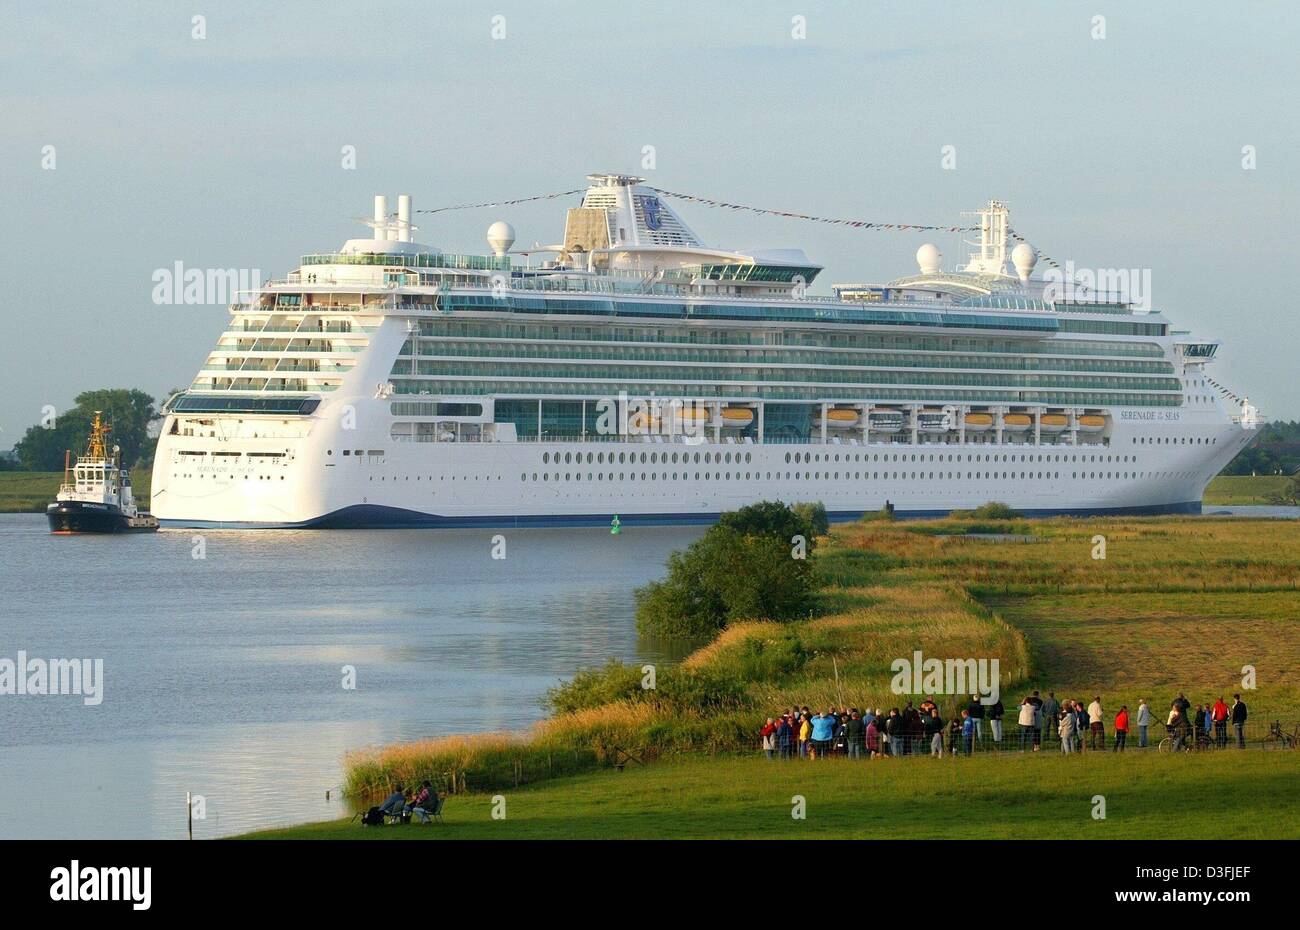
1119	144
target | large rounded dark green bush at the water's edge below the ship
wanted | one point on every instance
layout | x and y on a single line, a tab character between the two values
743	568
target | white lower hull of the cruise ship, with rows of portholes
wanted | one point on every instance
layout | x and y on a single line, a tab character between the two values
510	485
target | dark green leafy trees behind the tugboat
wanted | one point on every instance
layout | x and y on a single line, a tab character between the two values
128	412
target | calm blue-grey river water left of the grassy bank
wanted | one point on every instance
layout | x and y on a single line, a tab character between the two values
224	676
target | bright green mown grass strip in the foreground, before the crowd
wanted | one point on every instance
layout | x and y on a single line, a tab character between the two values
1228	794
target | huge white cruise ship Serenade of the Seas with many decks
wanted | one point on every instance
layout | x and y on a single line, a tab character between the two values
632	374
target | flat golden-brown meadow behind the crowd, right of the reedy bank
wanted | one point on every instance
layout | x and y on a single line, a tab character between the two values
1177	604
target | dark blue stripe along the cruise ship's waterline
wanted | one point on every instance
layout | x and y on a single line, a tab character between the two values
374	517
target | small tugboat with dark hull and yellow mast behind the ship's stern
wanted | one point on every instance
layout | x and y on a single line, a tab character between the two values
96	496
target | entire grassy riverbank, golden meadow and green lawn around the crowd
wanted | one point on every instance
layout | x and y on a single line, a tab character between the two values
1176	604
